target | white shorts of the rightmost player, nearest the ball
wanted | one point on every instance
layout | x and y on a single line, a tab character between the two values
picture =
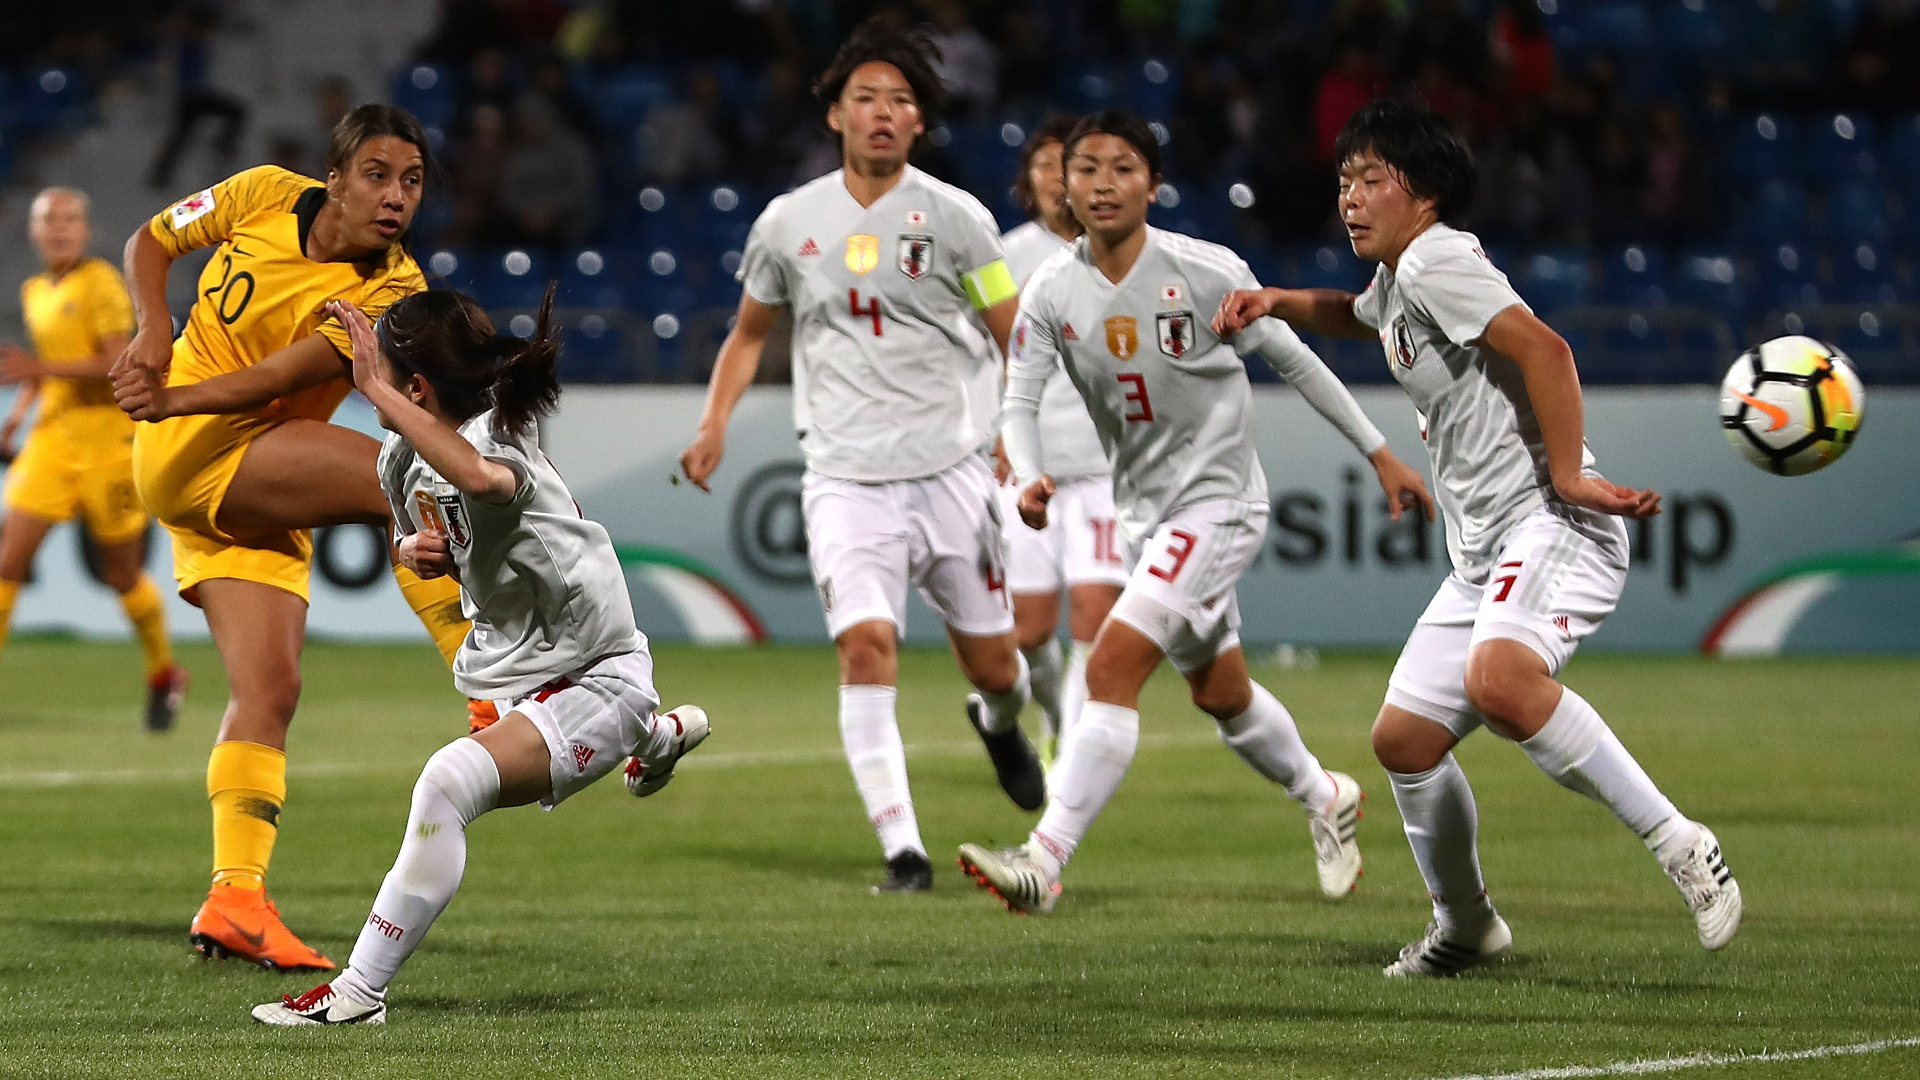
1550	587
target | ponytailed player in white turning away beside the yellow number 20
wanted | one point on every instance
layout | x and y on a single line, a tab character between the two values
554	629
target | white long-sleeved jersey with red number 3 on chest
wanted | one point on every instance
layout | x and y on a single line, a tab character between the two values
1166	395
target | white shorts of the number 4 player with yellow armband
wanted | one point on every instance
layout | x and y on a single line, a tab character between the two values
942	533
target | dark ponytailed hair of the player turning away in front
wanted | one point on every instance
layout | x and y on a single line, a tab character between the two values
448	339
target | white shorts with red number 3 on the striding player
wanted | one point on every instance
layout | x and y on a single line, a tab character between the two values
1182	589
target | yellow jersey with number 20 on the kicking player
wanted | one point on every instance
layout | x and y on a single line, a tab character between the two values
262	293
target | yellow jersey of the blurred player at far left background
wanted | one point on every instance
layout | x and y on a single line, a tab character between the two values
66	320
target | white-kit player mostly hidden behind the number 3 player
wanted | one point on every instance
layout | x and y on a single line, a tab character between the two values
1078	551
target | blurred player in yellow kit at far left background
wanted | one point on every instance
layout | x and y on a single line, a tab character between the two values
80	456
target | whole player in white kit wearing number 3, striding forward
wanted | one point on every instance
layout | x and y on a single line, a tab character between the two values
1170	401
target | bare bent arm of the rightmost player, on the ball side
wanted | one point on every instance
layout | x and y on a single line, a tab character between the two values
1554	389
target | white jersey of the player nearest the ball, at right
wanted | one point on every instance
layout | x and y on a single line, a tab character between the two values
1491	464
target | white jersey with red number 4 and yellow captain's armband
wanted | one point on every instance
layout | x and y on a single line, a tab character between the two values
888	360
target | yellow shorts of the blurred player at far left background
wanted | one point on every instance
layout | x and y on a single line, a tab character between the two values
80	464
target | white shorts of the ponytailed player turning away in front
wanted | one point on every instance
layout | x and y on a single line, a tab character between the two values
592	720
